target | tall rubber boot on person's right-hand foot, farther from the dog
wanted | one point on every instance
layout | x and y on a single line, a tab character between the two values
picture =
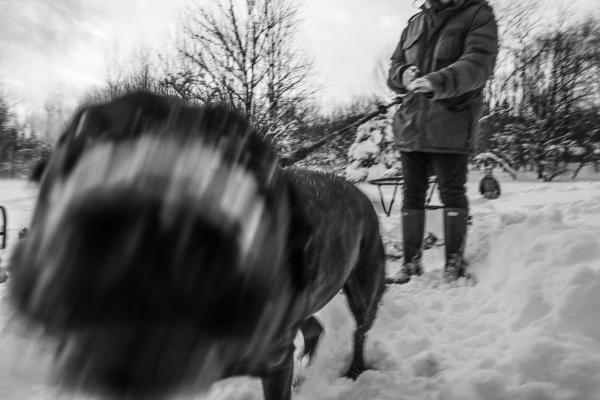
455	232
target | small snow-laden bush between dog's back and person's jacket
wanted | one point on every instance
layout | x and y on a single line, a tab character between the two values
373	154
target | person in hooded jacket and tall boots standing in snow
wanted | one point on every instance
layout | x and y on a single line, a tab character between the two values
445	55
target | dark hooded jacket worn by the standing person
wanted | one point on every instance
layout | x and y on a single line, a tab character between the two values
455	47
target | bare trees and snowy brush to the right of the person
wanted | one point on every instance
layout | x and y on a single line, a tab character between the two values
544	101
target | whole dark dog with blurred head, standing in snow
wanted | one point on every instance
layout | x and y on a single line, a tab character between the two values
168	250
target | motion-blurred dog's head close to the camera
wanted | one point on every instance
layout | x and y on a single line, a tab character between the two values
157	244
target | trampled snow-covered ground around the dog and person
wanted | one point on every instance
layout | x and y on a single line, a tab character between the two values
528	330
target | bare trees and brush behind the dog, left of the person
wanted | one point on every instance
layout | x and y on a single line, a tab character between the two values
245	54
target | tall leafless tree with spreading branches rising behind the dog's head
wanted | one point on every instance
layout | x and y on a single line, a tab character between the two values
243	53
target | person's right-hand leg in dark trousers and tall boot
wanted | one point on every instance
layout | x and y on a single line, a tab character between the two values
451	171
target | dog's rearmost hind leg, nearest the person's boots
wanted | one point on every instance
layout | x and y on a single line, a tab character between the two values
363	290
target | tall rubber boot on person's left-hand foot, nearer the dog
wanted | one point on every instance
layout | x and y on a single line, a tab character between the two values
413	228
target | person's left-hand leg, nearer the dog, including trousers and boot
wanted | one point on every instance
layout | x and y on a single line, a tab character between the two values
415	167
